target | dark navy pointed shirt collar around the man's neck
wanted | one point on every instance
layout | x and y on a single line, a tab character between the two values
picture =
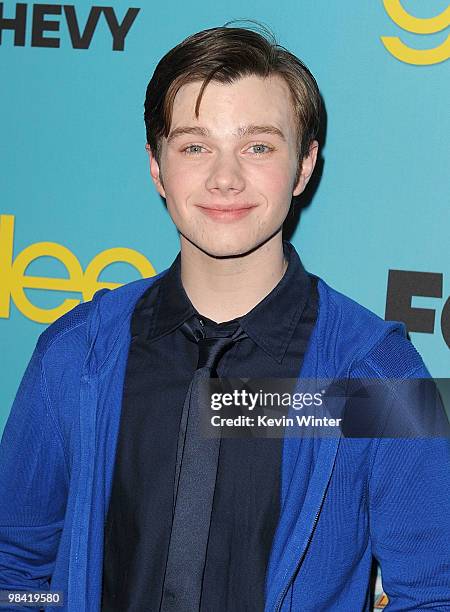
271	323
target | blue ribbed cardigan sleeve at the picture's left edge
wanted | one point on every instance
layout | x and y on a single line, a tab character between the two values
33	486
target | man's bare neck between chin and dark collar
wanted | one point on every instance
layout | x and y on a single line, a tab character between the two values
225	288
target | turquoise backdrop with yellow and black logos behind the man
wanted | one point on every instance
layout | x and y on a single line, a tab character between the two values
78	210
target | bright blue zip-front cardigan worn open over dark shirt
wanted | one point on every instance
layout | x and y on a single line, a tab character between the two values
342	500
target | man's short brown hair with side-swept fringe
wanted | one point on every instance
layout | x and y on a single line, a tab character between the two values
226	54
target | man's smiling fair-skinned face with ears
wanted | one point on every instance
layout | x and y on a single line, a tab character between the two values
228	189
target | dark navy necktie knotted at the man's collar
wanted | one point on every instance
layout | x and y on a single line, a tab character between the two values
195	478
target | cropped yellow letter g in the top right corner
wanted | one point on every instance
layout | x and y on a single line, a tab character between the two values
421	57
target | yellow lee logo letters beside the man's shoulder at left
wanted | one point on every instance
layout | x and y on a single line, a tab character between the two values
14	280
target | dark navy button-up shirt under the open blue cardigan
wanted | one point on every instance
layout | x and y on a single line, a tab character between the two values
245	511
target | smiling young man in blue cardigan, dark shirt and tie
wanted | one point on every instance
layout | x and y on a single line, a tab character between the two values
109	492
